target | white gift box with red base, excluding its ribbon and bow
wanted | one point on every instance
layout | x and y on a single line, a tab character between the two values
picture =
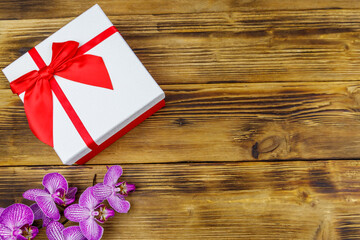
106	114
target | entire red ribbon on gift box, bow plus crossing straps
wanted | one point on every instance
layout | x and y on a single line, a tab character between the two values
70	62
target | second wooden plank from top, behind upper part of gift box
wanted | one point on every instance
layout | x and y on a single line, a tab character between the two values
275	46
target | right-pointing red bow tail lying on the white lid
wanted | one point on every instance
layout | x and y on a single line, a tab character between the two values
87	69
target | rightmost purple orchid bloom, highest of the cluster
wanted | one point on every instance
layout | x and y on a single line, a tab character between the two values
112	191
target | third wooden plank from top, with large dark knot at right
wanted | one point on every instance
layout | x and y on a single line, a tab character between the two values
216	122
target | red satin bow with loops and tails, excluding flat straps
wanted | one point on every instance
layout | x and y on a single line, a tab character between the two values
66	62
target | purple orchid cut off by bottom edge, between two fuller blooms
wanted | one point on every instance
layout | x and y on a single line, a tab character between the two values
56	231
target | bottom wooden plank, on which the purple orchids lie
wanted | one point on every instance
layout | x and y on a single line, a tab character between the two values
279	200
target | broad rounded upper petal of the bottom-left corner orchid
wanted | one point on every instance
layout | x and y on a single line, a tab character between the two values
17	215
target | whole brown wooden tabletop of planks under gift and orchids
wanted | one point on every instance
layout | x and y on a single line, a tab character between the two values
260	137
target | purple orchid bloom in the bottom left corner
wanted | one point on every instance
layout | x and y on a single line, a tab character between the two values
15	223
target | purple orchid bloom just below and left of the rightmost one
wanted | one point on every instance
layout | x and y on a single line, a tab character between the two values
87	213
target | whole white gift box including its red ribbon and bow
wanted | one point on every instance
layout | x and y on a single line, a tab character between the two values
83	87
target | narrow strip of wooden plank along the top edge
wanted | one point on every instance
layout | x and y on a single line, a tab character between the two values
13	9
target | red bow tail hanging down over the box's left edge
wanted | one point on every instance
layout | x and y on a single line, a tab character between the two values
38	104
